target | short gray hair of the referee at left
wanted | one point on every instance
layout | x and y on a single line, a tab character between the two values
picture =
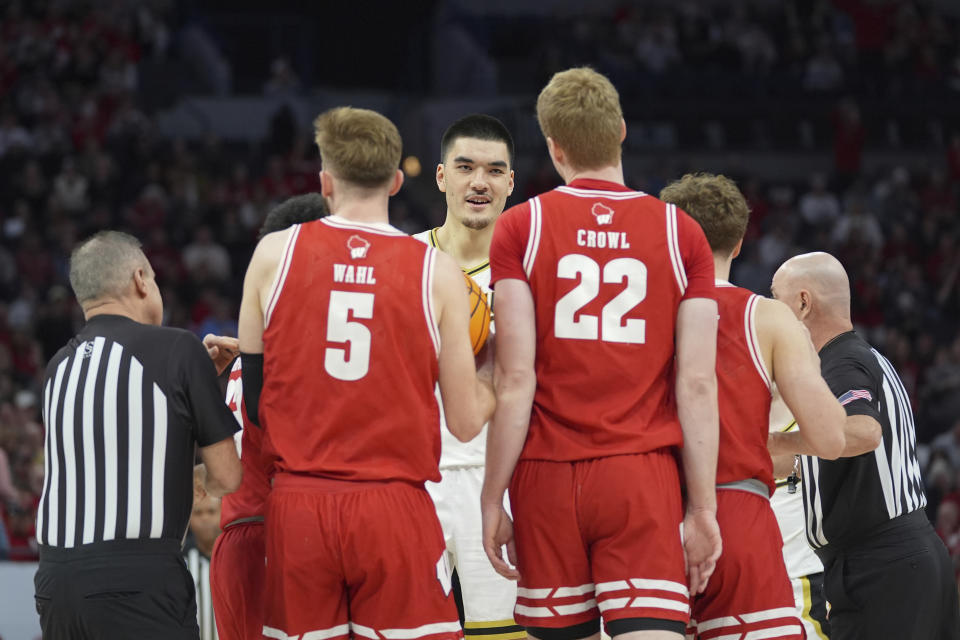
101	267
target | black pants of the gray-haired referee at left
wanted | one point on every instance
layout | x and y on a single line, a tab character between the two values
137	589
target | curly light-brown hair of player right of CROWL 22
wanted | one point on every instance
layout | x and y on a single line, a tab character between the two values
716	203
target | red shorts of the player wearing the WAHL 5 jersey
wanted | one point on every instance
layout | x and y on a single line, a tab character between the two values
361	559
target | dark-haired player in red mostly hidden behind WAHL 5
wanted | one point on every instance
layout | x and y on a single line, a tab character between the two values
236	567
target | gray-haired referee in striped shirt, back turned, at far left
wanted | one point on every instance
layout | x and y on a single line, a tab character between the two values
125	402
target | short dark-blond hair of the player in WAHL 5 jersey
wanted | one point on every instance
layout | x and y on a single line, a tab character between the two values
358	146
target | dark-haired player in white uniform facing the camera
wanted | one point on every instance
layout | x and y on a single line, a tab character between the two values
476	175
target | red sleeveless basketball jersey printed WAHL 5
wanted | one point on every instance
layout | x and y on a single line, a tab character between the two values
350	355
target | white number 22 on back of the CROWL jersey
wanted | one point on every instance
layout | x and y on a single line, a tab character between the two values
610	326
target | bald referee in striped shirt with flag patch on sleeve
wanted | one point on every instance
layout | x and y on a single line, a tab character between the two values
886	573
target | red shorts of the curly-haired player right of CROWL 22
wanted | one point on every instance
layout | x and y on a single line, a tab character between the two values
749	593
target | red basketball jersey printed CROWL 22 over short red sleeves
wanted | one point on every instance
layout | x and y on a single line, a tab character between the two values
608	268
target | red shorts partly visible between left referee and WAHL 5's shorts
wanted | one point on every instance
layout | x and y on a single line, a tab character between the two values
237	581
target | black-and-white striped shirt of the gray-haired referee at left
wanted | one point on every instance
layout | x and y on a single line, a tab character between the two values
124	405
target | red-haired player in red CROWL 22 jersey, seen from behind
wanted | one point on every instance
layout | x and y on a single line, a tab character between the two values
606	332
